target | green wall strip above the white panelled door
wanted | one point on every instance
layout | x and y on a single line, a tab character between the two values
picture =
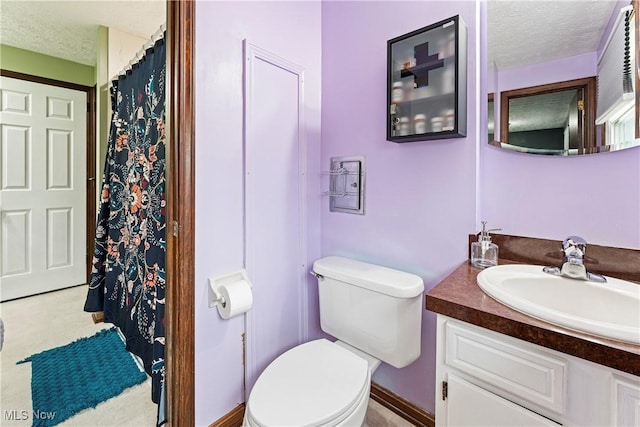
37	64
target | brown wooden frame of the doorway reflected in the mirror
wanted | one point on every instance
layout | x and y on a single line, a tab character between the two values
589	86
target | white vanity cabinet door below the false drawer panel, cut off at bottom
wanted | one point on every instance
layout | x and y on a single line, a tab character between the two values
470	405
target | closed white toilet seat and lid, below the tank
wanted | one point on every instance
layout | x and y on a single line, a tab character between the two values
314	384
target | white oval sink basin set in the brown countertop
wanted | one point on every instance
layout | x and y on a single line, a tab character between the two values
610	310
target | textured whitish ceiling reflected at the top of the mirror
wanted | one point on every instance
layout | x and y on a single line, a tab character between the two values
522	32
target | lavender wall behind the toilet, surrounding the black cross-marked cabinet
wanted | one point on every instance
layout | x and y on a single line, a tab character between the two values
420	197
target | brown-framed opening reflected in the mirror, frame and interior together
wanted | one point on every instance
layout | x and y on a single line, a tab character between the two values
554	119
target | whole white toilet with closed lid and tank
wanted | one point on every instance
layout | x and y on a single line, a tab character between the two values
375	312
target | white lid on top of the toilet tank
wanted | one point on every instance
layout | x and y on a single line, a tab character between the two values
380	279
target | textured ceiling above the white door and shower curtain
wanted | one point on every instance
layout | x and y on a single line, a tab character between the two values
67	29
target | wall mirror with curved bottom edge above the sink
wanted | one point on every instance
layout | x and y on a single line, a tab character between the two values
543	59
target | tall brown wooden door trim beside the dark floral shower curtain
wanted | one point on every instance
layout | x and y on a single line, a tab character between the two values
180	314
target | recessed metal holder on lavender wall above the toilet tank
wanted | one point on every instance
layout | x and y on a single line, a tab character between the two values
346	184
